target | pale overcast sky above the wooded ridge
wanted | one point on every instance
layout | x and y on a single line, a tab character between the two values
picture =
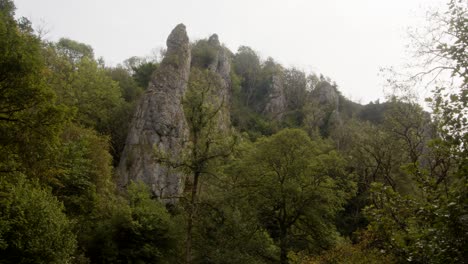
347	40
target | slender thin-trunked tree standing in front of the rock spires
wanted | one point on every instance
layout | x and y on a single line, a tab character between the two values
210	141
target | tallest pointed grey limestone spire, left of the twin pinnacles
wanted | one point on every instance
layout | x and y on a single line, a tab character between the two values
159	123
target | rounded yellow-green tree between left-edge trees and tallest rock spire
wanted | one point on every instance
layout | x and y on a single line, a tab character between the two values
83	169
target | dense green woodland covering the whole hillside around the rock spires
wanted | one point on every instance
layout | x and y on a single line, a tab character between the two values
324	182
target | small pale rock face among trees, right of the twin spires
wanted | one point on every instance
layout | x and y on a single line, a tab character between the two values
276	103
